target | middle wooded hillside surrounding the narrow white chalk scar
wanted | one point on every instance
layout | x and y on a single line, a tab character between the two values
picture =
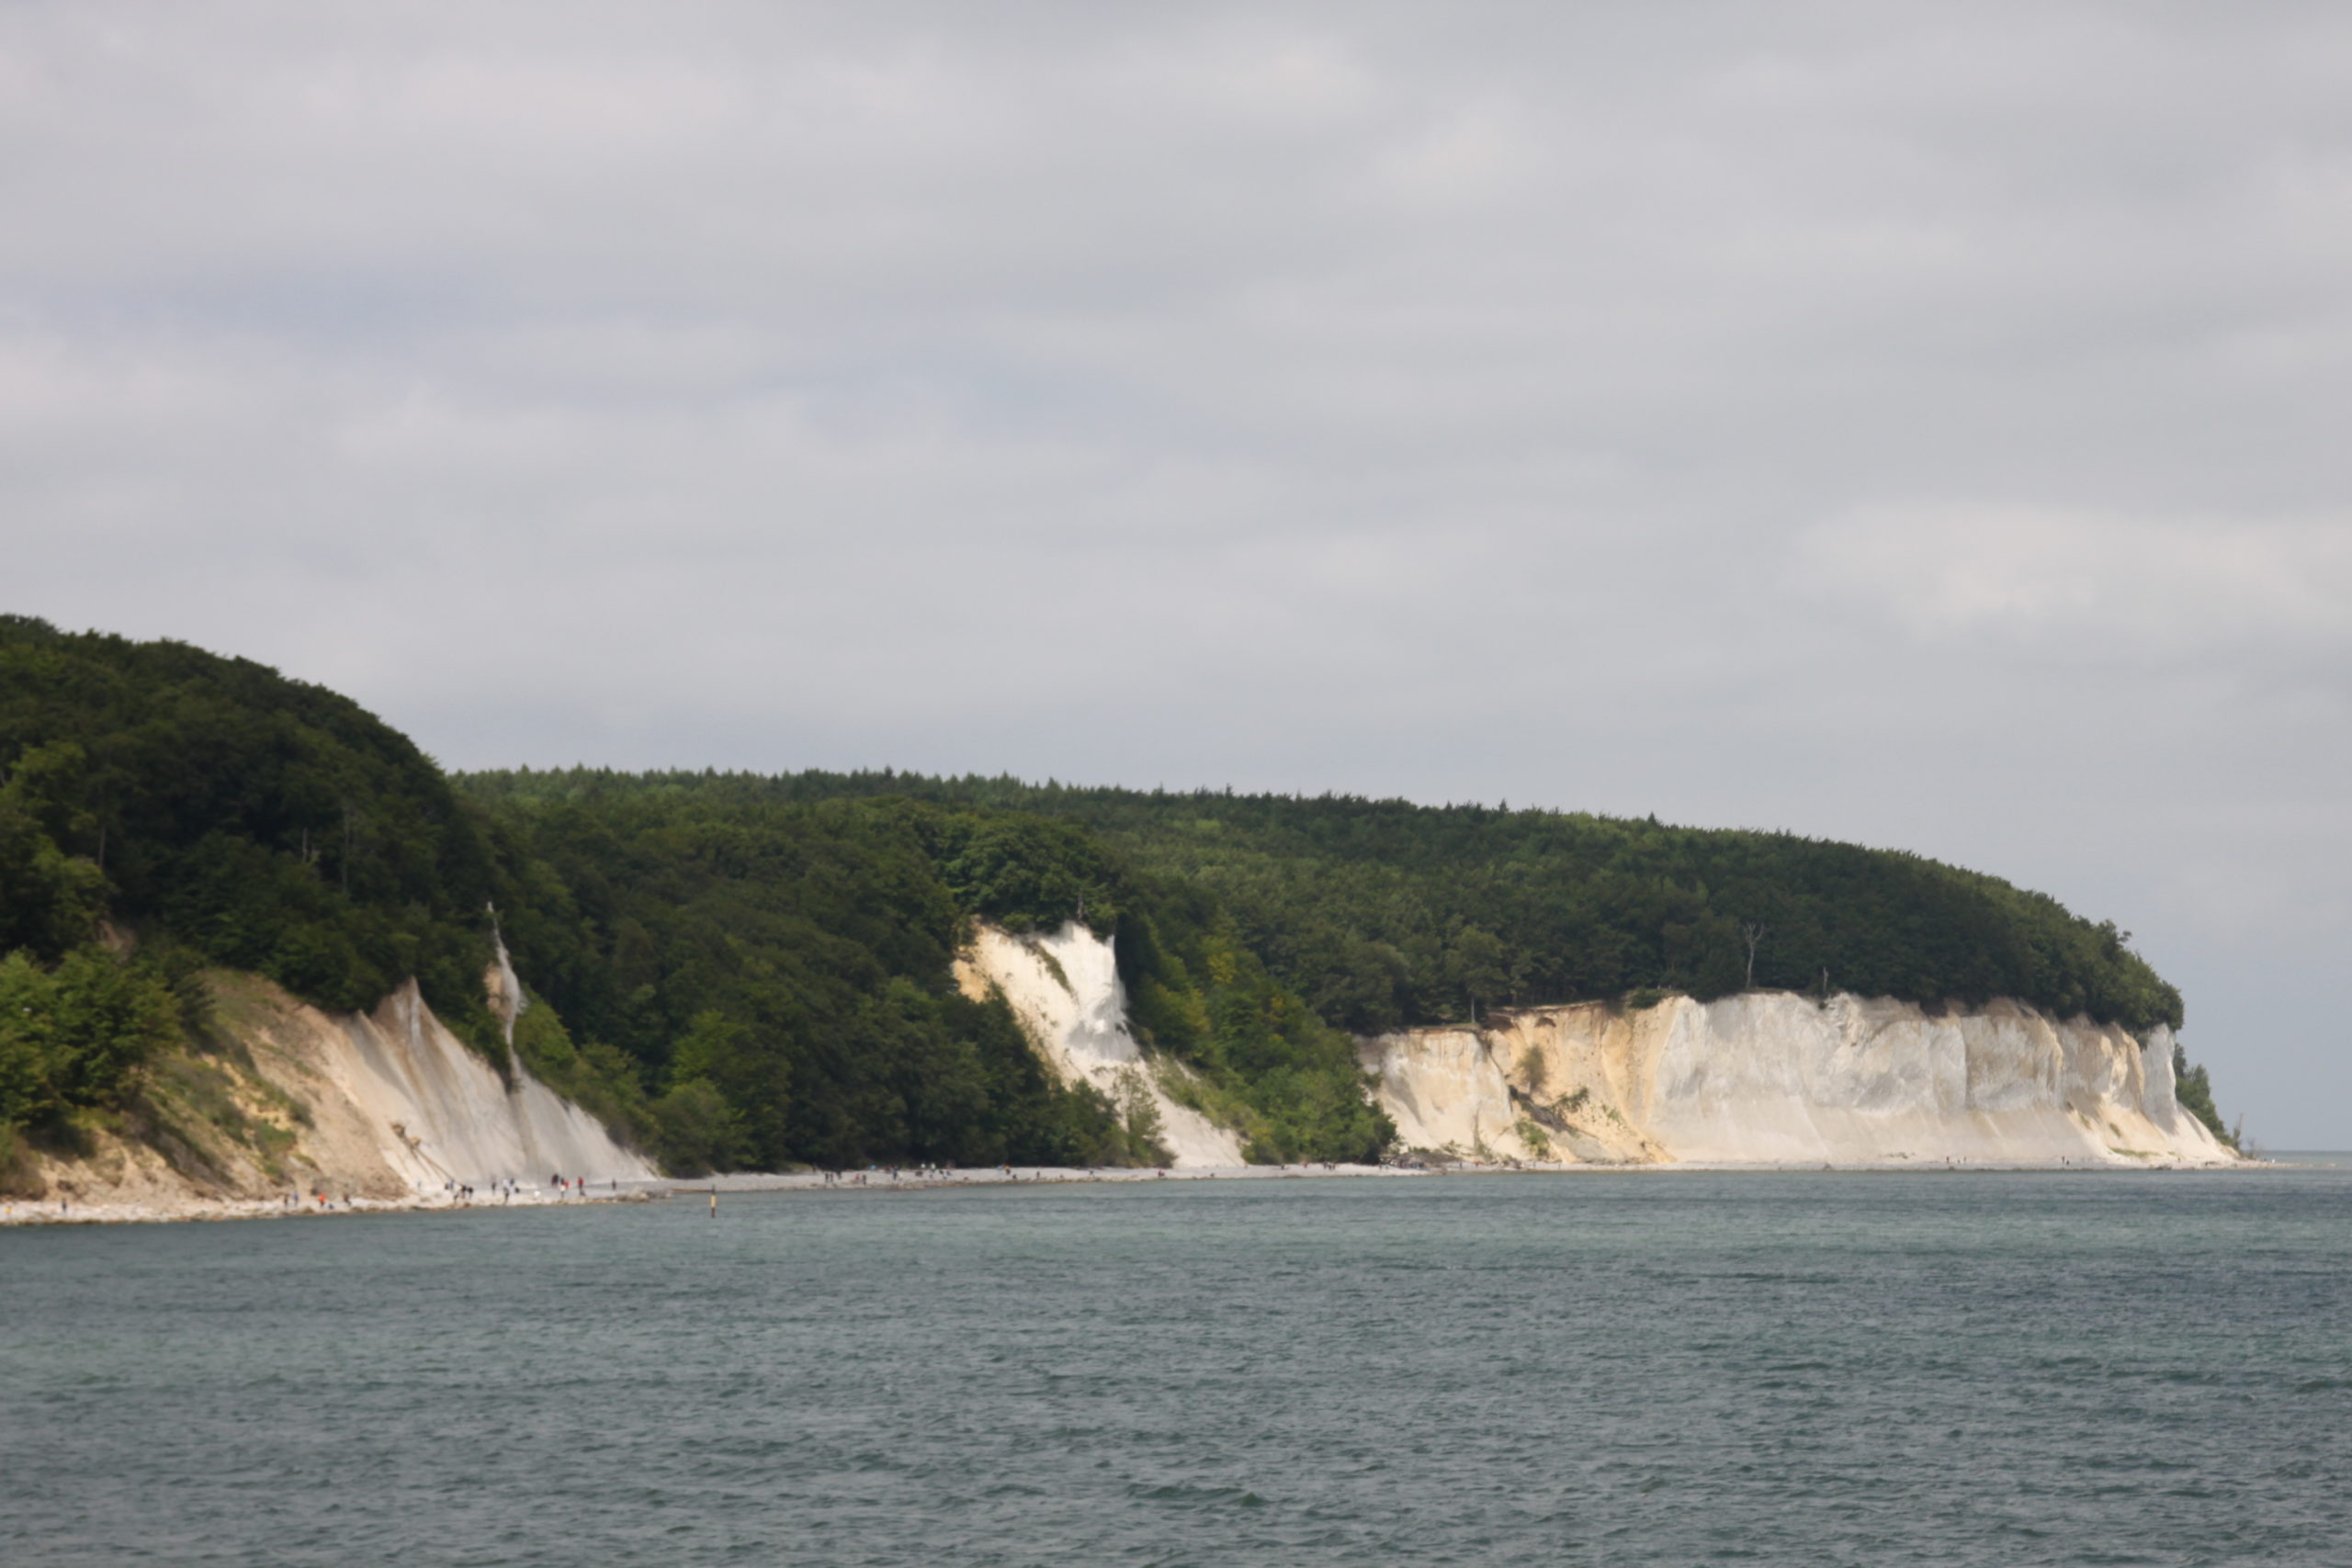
796	958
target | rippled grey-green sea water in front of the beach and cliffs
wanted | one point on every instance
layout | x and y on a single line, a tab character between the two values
1546	1369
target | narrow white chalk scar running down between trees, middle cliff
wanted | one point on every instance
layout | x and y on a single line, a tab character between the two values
1067	993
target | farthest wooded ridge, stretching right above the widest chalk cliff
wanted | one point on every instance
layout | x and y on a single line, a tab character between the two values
1384	913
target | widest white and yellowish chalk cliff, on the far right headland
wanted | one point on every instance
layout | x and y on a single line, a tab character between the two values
1772	1078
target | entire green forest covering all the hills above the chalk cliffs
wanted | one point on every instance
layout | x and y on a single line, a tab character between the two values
751	972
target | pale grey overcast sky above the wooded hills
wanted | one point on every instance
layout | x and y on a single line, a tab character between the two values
1916	424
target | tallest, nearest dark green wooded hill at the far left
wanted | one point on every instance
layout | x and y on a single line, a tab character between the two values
253	819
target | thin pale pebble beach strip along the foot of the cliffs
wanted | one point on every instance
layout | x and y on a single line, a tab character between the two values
747	1184
